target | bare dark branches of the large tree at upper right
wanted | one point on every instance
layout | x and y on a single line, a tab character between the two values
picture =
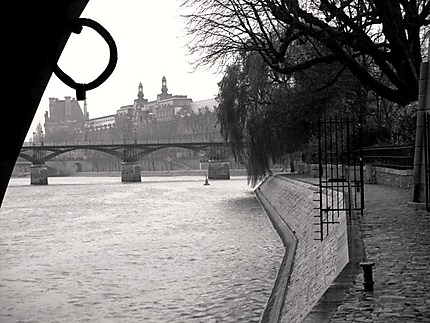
380	42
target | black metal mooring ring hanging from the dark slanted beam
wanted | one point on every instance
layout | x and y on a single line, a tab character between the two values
75	25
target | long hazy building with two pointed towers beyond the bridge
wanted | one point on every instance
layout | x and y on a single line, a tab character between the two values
167	117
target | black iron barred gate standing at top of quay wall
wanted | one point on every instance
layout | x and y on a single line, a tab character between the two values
341	189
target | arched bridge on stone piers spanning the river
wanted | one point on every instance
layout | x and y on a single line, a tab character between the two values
129	151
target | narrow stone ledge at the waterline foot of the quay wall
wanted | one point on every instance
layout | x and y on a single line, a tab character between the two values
273	308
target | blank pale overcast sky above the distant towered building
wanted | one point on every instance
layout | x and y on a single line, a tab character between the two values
150	38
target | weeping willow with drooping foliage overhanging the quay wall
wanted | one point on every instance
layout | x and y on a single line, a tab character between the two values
266	115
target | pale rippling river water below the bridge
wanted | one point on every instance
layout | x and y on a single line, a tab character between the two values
168	249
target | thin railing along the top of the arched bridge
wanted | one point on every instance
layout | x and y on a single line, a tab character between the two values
121	142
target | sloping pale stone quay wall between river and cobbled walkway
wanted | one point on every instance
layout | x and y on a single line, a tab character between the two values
314	264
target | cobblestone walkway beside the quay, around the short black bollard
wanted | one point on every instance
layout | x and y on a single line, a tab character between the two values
397	239
